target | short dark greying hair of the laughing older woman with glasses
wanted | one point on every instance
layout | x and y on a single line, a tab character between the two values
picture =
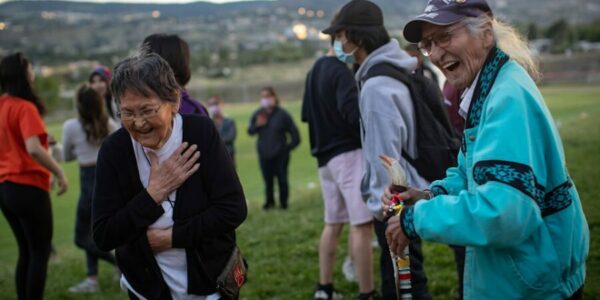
146	74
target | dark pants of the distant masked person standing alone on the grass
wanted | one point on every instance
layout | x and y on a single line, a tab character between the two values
271	168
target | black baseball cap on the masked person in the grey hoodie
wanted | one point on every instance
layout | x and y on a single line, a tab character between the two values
356	13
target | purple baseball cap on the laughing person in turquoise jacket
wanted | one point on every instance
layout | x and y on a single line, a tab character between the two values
444	12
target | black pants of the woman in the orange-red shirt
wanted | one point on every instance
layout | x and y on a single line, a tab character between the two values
29	214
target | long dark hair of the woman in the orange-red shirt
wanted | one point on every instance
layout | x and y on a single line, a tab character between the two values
14	80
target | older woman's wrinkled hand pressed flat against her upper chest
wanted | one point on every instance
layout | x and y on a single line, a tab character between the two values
169	175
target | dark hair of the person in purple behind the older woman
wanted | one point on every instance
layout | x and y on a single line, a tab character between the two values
175	51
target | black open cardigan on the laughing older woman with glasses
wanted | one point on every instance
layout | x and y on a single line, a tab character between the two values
210	206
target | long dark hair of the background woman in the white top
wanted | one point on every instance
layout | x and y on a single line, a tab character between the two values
92	114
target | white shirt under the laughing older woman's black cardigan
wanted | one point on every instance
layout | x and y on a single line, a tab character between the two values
172	262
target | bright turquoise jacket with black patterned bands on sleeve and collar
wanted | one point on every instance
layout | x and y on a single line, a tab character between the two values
510	200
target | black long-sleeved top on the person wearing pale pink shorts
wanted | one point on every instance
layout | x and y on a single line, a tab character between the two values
330	107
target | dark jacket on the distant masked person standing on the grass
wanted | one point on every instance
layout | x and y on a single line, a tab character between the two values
272	137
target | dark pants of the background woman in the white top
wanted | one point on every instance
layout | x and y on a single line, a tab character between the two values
83	223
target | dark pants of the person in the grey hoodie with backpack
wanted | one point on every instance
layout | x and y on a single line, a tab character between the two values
418	277
